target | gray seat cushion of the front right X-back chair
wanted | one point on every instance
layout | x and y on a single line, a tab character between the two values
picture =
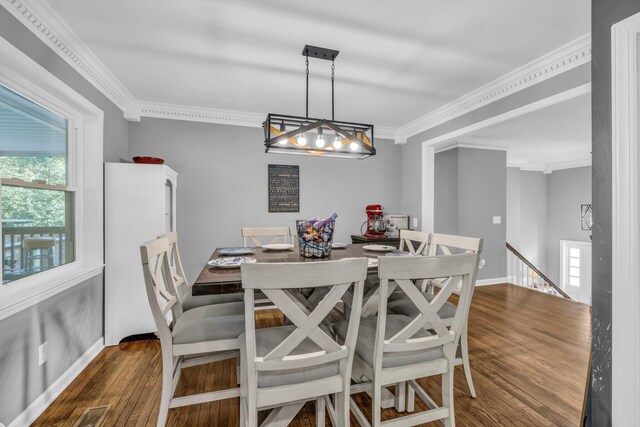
395	323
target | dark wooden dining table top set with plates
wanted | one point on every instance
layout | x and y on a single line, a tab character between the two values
221	281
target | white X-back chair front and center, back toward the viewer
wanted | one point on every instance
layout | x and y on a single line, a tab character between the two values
285	366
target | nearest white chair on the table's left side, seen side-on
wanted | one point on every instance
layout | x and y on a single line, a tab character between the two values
195	337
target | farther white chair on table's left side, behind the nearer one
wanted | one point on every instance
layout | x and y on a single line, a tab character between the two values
183	290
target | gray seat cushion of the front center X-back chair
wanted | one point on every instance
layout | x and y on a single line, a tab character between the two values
268	338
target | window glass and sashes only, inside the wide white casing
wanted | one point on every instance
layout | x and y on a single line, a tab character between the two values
37	203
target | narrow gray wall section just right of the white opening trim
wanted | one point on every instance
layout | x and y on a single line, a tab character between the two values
446	192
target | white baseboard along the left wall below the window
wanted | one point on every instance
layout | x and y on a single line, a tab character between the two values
43	401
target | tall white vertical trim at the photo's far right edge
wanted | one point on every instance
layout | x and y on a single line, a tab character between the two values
625	325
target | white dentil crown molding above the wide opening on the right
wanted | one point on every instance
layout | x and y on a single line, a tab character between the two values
565	58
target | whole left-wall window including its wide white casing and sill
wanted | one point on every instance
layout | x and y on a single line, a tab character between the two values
68	176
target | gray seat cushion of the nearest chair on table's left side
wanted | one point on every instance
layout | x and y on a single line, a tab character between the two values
212	323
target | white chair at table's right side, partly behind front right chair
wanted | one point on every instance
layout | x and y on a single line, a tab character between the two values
444	244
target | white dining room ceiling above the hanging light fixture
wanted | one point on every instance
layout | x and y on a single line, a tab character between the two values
398	60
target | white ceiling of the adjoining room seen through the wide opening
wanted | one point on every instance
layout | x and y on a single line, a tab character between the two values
550	138
